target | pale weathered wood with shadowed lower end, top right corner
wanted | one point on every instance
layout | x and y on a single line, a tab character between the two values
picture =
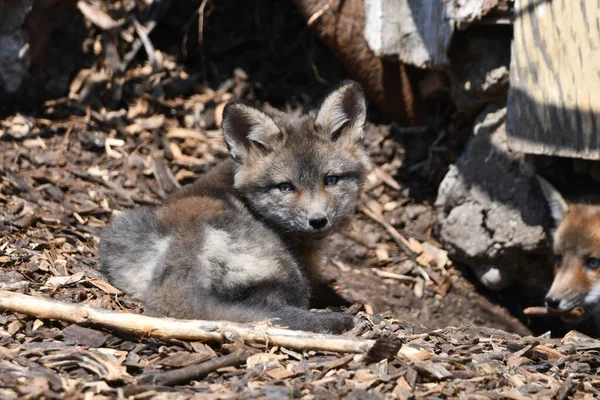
553	106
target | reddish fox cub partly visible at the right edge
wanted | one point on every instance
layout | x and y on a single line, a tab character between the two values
575	292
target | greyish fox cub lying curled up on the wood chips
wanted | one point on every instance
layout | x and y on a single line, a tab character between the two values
242	242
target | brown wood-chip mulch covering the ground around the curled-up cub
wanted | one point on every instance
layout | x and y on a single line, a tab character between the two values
64	171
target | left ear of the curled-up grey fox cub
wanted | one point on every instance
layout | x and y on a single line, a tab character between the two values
249	131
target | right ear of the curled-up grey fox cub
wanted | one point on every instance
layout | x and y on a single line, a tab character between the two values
343	113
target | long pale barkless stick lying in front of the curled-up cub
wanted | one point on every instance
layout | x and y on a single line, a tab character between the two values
168	328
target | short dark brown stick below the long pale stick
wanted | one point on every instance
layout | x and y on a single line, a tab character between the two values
195	372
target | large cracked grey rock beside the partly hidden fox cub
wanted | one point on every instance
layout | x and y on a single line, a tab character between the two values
491	213
